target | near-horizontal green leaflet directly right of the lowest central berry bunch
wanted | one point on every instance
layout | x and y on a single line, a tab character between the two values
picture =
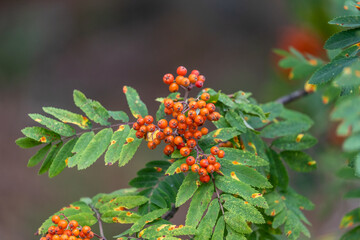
235	157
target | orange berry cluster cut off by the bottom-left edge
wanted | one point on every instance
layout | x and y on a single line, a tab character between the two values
64	230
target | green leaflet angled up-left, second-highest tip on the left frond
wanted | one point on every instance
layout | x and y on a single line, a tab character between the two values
93	109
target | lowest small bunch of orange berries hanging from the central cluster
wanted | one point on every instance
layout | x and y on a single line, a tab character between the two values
208	164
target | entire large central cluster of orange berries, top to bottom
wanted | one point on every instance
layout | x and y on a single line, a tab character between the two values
185	127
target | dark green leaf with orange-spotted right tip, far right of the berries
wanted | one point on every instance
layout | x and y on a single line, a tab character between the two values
298	161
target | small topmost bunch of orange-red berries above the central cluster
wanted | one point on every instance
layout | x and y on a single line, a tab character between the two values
194	79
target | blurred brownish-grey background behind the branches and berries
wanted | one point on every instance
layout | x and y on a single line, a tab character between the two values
49	48
